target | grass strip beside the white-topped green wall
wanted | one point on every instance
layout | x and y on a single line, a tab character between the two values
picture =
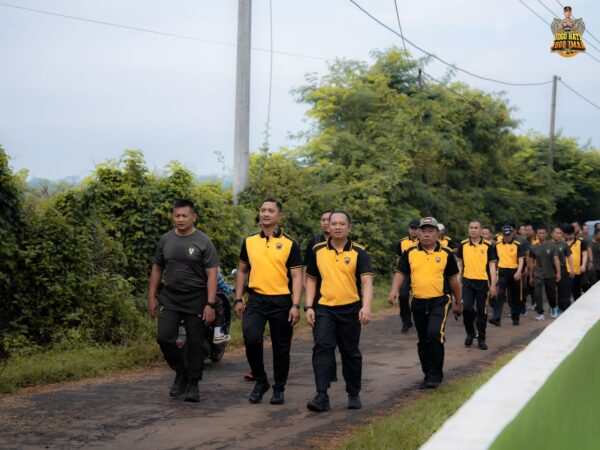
415	424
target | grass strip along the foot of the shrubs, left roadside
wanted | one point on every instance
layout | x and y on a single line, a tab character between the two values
57	365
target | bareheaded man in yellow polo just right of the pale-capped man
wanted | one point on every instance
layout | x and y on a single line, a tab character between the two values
475	257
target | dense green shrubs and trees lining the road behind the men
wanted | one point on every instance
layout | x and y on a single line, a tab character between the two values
75	259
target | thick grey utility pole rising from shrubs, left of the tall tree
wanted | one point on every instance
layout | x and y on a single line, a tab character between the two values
242	99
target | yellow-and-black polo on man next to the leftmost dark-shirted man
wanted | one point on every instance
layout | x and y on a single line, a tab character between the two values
269	259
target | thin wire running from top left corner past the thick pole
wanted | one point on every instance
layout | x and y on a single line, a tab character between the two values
161	33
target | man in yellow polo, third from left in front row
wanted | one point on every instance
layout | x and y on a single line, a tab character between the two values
342	267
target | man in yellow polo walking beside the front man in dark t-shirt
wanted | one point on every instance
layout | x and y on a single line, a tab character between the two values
267	262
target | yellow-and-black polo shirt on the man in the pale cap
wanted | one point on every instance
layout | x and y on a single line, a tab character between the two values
428	271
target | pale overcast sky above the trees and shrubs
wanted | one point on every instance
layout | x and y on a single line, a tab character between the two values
75	93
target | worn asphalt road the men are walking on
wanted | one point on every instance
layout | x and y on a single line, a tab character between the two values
134	410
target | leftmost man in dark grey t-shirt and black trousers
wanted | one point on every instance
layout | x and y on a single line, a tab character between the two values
188	262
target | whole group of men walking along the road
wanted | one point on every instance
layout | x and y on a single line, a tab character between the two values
336	275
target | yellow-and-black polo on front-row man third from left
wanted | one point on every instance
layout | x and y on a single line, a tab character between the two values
338	272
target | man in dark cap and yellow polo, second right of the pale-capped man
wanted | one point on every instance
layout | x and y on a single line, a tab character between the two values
511	257
